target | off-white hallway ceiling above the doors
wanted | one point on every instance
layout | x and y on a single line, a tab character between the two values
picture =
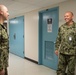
17	7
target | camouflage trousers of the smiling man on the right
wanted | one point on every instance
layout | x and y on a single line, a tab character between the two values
66	64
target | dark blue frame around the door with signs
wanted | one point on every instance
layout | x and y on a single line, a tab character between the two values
40	58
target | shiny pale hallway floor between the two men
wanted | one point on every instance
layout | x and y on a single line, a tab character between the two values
20	66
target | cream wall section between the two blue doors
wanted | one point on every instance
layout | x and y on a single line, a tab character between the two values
31	35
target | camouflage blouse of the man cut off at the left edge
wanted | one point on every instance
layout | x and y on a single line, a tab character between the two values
4	47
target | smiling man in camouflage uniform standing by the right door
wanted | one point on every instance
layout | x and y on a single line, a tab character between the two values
66	46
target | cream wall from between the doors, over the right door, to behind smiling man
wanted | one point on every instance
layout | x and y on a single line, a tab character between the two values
31	26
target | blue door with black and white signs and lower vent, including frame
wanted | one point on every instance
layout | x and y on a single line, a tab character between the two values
48	28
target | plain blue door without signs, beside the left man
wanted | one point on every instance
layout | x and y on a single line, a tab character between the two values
16	36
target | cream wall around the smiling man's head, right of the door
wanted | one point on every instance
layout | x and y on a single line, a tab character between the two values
67	6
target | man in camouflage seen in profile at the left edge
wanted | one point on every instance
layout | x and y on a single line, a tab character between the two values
4	46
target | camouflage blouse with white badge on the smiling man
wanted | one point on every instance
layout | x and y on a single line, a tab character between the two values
66	40
